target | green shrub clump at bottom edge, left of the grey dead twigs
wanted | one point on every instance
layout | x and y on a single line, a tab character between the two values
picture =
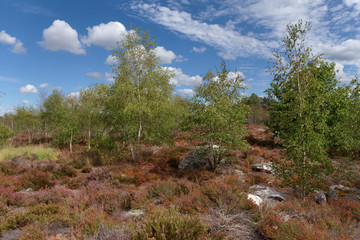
169	224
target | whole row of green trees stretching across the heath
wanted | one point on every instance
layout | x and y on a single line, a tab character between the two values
307	108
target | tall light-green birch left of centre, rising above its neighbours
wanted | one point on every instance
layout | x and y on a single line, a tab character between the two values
139	105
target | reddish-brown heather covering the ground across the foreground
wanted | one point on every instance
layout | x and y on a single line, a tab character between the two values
152	199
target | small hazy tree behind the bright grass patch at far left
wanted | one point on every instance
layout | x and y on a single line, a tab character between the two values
26	120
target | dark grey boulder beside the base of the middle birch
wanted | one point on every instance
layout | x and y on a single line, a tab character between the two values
196	159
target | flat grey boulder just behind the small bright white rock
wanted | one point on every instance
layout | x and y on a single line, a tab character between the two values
267	194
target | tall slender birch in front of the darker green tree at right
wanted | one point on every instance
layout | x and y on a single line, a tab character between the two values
299	115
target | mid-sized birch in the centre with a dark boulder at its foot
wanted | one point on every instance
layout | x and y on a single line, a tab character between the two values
218	114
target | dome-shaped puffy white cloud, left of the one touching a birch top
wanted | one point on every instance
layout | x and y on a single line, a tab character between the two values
60	36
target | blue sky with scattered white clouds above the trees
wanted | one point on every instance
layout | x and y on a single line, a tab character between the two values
65	45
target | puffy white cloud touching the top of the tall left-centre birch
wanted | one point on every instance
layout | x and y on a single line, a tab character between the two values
105	35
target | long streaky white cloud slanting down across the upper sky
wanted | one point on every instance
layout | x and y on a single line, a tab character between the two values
231	44
